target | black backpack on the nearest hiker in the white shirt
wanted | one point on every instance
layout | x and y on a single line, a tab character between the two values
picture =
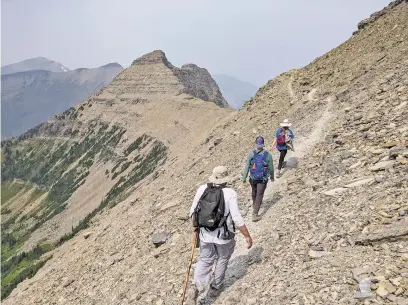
209	213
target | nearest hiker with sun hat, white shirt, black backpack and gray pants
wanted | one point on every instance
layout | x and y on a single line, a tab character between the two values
216	231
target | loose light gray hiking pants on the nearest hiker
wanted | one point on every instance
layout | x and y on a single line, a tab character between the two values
209	252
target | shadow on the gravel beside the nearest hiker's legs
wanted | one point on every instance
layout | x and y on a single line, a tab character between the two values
237	268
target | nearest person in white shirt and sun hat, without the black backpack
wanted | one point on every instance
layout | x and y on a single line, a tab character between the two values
218	245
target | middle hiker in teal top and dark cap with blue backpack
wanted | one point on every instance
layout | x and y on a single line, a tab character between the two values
260	167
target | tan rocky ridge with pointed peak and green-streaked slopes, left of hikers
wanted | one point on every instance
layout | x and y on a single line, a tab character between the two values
60	175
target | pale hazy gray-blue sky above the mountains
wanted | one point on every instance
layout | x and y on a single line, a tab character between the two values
252	40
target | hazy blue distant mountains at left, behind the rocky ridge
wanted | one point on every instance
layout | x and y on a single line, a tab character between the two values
34	90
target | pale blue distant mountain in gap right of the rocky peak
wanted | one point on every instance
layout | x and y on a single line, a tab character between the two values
235	91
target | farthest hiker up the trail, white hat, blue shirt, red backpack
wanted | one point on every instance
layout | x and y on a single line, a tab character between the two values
283	141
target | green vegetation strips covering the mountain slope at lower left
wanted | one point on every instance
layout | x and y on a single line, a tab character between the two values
58	168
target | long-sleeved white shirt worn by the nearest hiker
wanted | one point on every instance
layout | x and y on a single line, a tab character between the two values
231	206
